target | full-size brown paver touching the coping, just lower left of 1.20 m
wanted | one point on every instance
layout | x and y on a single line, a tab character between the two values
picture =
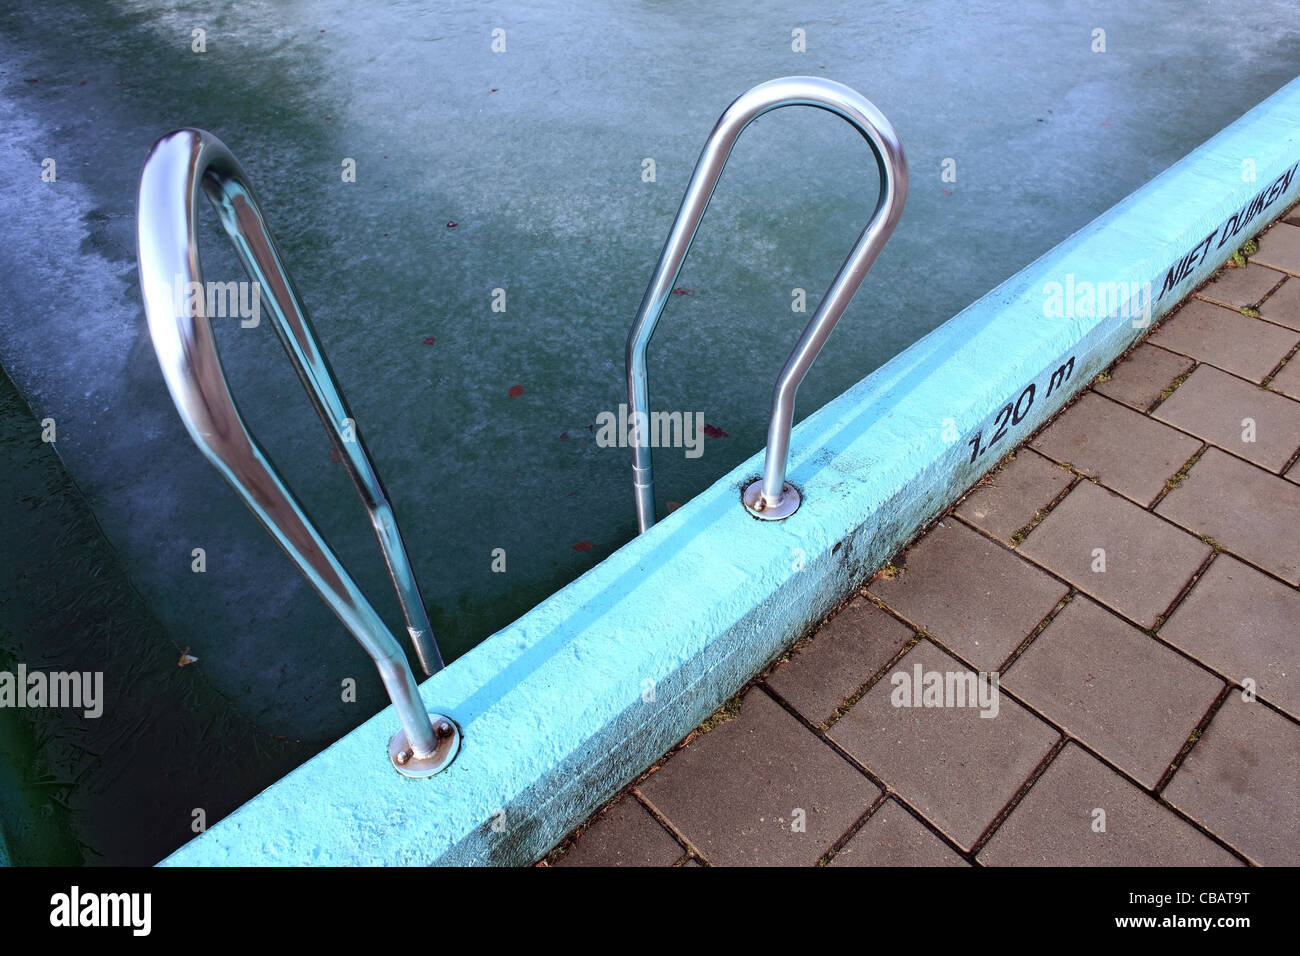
974	596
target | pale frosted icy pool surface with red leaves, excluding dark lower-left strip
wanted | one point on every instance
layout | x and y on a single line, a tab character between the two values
538	157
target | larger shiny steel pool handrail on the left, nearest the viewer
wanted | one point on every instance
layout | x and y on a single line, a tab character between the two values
179	166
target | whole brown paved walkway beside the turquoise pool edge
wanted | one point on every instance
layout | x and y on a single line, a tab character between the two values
1130	574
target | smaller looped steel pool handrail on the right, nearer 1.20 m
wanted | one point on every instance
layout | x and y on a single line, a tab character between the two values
770	498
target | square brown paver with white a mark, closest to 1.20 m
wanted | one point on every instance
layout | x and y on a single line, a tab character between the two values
1147	561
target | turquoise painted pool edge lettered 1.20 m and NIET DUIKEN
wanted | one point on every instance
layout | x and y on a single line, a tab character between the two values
570	703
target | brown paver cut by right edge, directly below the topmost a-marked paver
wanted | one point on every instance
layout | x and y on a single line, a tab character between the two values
1245	509
